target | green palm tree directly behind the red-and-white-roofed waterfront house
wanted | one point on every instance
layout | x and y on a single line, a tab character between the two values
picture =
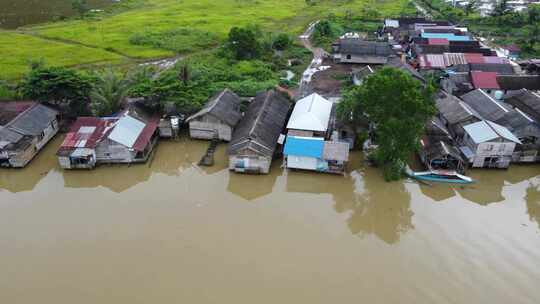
109	92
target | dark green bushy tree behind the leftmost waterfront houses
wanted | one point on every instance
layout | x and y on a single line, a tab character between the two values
64	87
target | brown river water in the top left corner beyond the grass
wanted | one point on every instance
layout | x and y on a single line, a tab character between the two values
15	13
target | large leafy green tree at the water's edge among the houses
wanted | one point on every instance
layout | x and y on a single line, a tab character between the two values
398	106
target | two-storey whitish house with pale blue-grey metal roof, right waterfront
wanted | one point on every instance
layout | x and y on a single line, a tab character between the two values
488	145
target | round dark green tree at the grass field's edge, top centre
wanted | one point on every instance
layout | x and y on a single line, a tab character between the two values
243	43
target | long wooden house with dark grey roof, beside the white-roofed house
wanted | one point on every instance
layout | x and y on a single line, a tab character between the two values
255	139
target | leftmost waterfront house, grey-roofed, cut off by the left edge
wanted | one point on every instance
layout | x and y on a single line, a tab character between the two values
25	128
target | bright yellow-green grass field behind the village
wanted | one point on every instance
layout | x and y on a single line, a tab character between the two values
107	39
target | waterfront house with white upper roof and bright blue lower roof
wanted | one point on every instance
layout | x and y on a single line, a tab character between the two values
312	143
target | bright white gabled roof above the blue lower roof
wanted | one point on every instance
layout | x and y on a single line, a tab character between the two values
311	113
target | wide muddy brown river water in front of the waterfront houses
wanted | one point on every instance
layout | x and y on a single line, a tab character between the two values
171	232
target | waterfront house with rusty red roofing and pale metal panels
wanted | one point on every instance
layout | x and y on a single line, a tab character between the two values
127	138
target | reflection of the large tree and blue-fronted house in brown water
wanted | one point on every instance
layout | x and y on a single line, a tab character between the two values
374	207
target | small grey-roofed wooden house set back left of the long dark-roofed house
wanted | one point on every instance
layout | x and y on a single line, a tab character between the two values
218	118
